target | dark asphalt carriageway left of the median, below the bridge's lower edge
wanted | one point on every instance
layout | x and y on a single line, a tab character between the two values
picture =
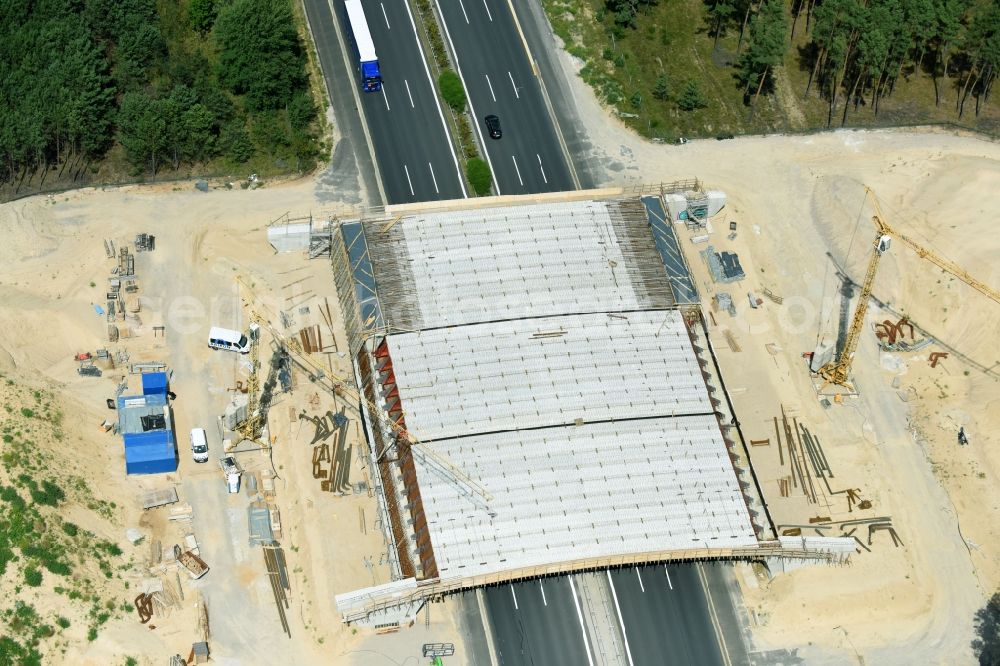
537	623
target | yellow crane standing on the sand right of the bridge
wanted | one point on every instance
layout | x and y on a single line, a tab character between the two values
837	372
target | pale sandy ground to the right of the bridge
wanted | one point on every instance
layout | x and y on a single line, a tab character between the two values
795	199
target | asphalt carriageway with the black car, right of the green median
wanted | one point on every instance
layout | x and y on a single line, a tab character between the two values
499	80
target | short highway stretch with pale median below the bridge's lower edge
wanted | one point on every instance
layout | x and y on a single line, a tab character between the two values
636	616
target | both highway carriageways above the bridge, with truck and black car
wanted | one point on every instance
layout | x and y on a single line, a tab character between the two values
404	122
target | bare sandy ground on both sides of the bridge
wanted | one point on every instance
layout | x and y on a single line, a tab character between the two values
795	200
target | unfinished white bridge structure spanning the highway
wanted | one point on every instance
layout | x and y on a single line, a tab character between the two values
538	401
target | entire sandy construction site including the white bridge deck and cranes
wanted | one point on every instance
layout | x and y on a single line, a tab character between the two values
440	399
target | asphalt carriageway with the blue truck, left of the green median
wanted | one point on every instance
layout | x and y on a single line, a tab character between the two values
405	122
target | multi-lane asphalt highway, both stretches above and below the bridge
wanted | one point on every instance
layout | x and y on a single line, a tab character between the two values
680	614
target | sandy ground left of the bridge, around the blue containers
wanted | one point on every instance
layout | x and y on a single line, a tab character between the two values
55	270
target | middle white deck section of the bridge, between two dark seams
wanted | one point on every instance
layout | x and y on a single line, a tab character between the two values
544	372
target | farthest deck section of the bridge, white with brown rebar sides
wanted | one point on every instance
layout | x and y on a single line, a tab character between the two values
461	267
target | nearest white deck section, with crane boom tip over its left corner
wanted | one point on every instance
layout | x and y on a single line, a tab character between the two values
598	490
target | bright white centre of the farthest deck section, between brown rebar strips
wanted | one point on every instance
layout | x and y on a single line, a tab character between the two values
514	262
